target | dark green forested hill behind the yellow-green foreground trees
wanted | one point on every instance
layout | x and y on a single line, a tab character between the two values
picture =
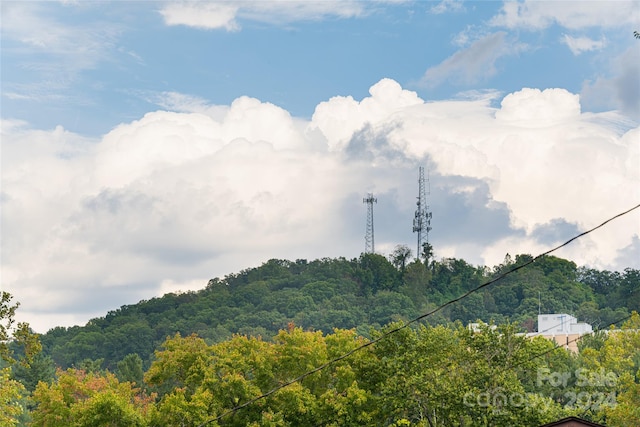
361	293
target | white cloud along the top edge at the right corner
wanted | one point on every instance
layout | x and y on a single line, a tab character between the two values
538	15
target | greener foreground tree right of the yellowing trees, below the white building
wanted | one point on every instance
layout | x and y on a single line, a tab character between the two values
446	376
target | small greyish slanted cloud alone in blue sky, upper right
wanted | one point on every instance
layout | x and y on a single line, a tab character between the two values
473	64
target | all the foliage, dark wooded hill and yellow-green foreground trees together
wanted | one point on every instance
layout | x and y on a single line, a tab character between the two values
250	338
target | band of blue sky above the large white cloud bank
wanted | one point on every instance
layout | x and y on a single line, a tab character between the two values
101	63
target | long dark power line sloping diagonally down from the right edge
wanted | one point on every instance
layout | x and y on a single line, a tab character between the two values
412	321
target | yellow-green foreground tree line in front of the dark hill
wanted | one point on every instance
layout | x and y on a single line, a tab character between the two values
443	375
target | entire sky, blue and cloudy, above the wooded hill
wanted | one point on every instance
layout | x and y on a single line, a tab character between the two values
149	146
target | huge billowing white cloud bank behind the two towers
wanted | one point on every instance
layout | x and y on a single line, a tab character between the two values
175	198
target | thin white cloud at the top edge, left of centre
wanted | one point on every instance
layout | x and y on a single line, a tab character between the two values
210	15
